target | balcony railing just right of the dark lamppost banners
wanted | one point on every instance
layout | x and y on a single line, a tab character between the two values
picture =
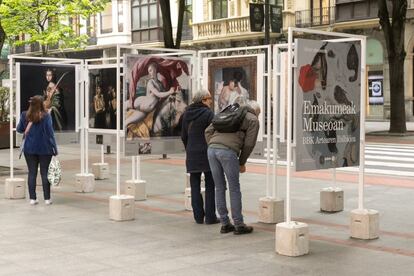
315	17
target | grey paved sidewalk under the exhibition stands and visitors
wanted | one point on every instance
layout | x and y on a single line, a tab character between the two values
75	237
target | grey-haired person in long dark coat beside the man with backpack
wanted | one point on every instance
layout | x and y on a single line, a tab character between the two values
195	120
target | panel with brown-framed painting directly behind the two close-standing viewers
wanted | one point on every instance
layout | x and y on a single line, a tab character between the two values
230	77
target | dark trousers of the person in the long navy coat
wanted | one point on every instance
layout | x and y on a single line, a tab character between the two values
197	200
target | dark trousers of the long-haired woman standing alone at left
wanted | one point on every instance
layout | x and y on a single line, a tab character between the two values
33	161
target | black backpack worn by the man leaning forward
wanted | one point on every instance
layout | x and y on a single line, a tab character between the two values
230	118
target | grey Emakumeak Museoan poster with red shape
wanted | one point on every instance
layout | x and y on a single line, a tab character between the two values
328	87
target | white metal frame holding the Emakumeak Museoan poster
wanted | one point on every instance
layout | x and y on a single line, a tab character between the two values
290	147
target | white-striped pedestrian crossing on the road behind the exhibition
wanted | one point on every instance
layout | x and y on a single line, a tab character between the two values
381	159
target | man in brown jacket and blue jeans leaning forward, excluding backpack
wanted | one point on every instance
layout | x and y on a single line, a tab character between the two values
227	155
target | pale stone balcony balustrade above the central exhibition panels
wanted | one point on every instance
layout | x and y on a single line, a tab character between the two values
221	27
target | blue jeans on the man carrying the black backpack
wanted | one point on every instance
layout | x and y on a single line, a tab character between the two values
225	162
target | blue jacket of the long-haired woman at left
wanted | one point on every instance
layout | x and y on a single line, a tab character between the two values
41	138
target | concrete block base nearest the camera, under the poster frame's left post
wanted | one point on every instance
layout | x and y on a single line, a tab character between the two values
292	239
